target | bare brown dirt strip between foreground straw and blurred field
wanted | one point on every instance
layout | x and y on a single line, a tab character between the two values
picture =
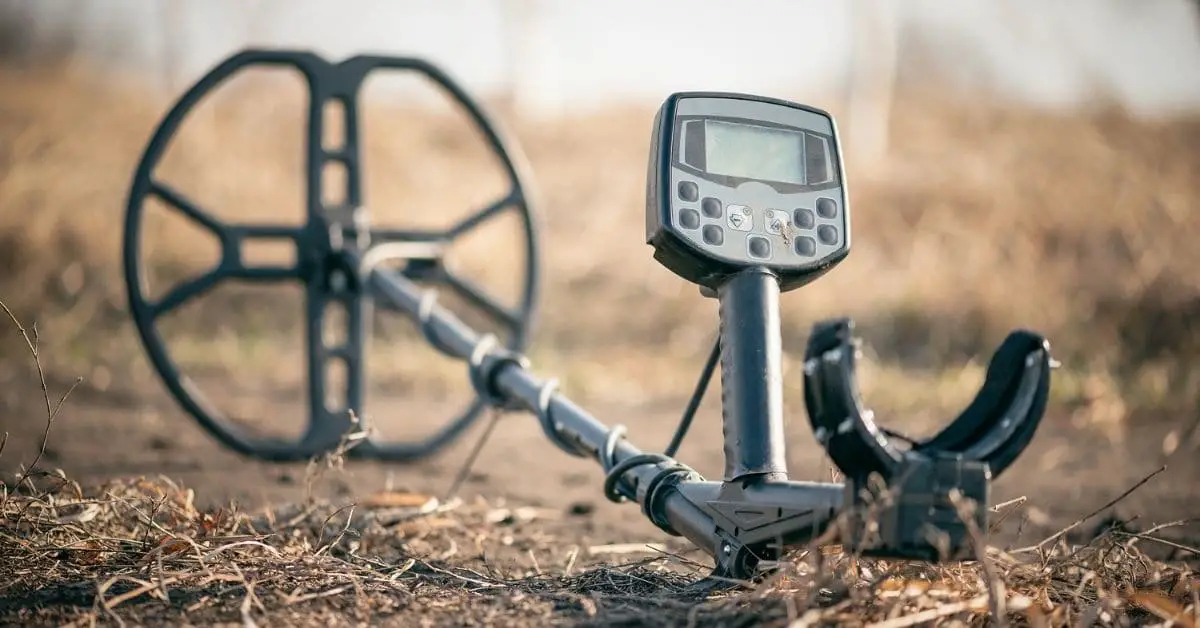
1067	473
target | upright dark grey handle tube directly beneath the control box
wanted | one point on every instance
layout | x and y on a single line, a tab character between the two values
752	376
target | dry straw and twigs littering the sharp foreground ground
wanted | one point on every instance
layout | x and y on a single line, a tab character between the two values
140	551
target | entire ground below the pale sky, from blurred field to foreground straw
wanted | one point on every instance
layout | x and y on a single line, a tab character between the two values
1081	225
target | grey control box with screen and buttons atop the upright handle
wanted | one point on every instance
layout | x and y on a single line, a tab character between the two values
737	181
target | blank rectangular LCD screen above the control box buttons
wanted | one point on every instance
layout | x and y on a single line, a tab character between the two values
754	152
